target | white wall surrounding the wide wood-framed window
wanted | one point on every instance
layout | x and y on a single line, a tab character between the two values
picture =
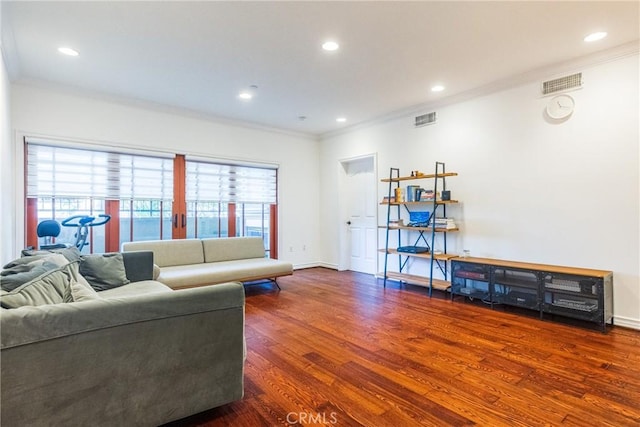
48	112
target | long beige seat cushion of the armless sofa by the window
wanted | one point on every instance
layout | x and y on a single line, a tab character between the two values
224	271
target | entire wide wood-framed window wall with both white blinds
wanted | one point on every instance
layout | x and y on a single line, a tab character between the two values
148	197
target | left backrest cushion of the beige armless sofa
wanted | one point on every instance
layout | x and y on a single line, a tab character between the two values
170	252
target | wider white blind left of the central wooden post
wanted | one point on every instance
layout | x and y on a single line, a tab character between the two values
63	172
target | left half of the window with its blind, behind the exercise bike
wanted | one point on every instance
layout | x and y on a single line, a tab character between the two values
136	190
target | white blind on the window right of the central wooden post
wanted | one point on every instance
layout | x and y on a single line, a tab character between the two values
230	183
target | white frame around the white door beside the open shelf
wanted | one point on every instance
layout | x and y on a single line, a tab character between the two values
344	253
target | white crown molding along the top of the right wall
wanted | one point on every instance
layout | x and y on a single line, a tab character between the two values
542	73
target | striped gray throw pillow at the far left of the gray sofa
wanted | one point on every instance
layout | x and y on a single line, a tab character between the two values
52	287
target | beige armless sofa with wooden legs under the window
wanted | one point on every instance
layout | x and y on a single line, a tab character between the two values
185	263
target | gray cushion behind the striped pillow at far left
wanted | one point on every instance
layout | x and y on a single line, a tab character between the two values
22	270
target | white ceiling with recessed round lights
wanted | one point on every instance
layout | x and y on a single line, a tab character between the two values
198	55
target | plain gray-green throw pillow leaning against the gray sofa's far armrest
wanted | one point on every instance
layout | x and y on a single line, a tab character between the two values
104	271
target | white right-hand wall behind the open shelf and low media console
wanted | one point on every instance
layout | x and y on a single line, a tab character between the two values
557	193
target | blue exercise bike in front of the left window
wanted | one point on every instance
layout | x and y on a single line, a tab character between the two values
50	229
